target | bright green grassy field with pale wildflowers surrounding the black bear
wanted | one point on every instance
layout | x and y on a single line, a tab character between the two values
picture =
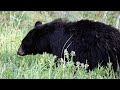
14	25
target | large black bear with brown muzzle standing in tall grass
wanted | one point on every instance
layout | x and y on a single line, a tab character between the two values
93	41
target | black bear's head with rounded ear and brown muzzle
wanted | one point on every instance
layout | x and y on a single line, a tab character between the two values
36	41
